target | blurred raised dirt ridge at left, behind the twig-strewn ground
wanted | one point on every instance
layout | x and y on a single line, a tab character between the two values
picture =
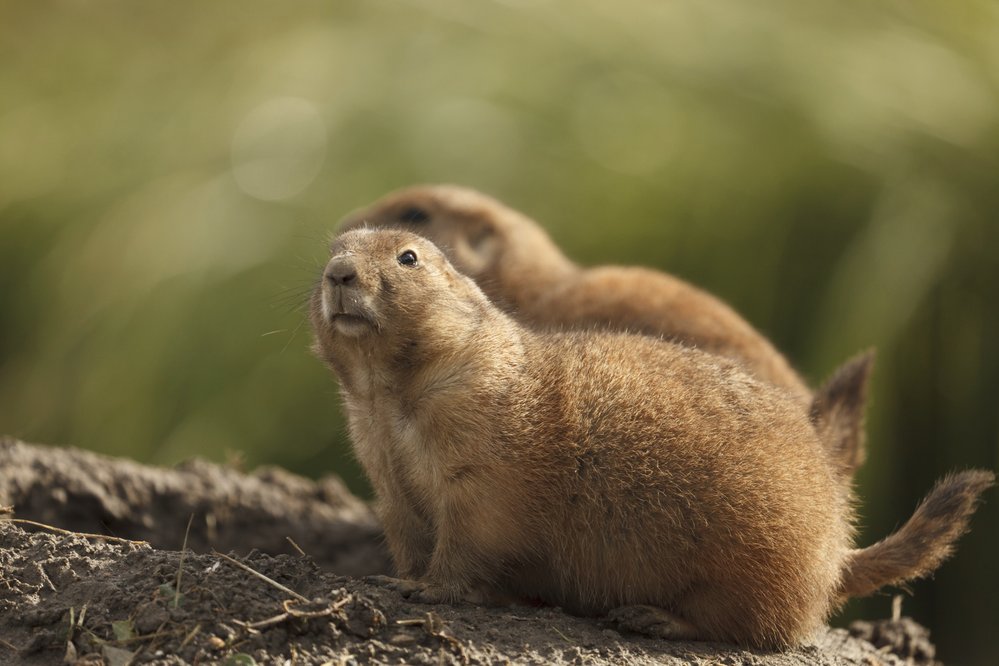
85	492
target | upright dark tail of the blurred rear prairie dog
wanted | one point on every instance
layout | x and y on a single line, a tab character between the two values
838	414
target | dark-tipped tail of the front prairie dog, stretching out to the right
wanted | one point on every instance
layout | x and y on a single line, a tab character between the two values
923	543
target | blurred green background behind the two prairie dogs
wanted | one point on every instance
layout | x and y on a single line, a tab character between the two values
169	173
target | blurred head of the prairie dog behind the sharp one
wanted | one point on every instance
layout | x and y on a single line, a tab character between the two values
480	235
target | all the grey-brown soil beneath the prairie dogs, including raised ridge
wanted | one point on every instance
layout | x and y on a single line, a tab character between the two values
88	599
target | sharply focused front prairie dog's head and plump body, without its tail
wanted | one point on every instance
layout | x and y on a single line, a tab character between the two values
590	470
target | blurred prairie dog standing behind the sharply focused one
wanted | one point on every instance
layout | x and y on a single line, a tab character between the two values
521	269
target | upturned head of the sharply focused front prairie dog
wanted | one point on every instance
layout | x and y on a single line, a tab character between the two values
391	289
